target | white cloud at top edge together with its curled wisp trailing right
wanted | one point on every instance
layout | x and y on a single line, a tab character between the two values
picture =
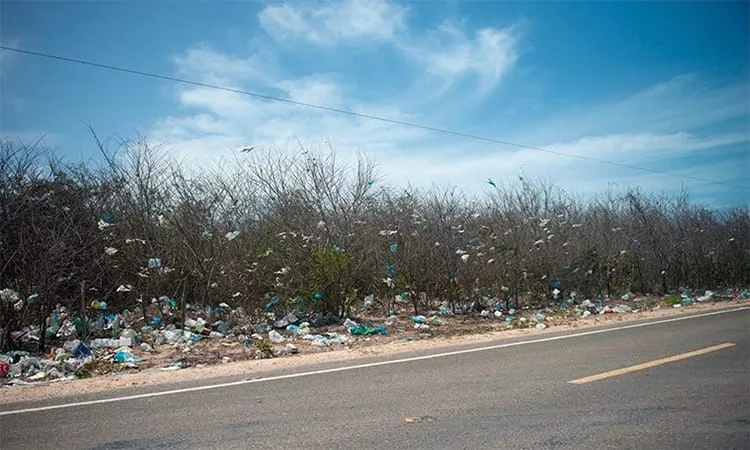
447	54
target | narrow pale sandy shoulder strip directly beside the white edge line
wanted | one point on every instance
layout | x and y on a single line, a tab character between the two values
364	347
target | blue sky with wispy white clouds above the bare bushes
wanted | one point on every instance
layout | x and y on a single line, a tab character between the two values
659	85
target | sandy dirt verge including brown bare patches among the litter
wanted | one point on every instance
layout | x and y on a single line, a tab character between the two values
226	359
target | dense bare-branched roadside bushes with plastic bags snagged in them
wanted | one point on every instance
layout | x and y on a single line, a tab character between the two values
305	233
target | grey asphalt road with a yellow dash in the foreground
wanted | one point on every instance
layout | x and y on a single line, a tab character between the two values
516	396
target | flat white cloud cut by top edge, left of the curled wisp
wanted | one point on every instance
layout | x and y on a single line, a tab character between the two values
329	23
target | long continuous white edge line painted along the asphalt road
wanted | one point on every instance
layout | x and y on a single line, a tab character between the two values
364	366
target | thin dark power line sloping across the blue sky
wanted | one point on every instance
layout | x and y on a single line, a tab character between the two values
362	115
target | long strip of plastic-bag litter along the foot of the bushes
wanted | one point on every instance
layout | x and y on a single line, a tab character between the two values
111	343
